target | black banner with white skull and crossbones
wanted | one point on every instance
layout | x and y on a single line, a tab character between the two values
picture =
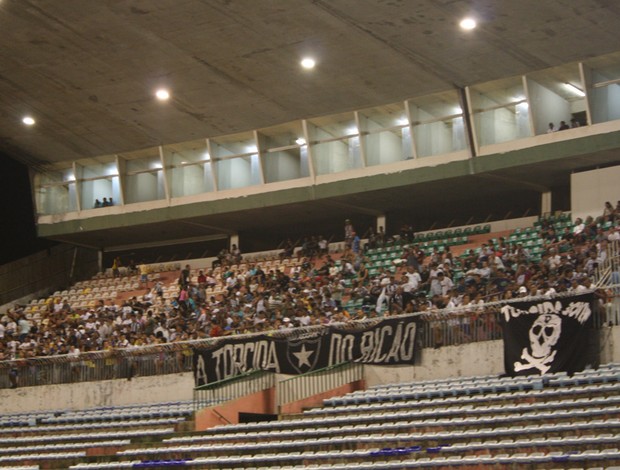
547	336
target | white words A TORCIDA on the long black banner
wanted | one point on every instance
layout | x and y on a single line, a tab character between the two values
232	359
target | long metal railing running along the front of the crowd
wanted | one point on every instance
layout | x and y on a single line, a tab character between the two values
437	329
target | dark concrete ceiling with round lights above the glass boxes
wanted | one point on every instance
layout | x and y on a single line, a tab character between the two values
87	70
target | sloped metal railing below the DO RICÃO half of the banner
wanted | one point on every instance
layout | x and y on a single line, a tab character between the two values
319	381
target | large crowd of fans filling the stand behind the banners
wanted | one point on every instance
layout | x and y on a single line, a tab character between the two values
237	296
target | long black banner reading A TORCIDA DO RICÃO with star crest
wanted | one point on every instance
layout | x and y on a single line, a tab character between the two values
390	341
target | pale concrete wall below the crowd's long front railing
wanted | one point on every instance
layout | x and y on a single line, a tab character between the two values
451	361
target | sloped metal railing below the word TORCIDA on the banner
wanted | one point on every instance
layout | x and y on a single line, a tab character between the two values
233	388
